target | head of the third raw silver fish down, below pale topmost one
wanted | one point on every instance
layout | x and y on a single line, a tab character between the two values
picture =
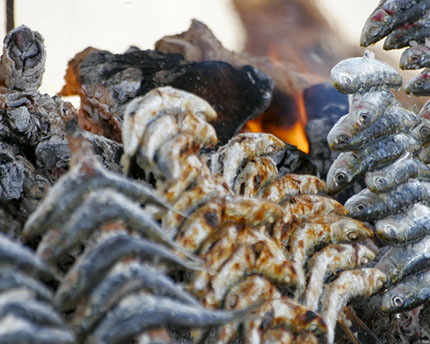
344	170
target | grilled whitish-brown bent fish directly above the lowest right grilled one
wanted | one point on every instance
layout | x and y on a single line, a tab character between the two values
331	260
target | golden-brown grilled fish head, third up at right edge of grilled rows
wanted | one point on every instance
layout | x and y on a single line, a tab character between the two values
346	229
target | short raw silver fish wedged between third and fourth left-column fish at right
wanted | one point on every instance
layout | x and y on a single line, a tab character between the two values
399	172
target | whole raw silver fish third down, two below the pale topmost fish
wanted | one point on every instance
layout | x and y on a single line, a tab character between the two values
349	166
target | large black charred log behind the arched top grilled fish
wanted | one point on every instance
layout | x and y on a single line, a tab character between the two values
109	81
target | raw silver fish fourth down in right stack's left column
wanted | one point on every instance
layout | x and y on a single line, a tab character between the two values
368	206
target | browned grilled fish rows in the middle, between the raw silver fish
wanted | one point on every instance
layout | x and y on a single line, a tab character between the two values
235	212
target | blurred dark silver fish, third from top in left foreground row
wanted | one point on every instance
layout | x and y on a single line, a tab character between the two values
96	262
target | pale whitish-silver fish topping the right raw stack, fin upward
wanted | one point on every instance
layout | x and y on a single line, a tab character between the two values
359	74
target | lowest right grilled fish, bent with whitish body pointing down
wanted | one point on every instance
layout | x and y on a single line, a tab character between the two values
350	284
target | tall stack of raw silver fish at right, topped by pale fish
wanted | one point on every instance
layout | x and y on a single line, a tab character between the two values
383	141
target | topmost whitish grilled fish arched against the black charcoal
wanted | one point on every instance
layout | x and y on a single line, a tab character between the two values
142	110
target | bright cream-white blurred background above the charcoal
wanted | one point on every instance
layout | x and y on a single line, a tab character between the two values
69	26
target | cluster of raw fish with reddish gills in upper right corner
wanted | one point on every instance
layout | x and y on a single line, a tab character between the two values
404	23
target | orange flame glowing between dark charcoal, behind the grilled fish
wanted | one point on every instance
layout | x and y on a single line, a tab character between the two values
289	126
